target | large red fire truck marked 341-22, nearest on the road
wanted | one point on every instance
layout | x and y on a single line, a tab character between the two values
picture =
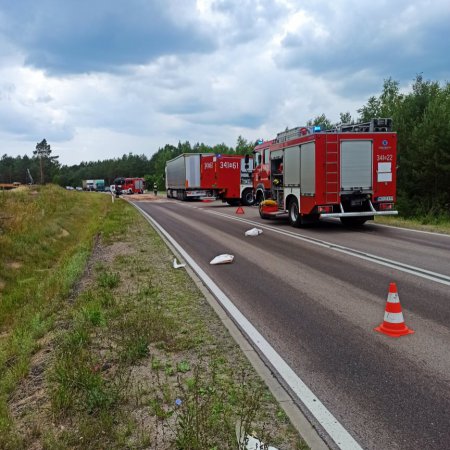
348	173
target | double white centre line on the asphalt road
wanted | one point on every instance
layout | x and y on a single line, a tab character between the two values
416	271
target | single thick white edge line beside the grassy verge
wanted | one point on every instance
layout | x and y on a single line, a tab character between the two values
336	431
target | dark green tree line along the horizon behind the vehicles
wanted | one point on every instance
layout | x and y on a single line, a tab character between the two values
421	118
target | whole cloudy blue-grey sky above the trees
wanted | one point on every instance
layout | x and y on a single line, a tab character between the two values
102	78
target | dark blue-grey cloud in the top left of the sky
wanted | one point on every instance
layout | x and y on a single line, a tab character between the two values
97	35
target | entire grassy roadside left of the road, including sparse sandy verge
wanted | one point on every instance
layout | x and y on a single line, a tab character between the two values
119	350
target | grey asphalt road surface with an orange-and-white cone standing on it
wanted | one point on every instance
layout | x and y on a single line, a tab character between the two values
317	304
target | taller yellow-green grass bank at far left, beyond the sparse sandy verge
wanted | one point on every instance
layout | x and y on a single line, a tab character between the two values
45	240
